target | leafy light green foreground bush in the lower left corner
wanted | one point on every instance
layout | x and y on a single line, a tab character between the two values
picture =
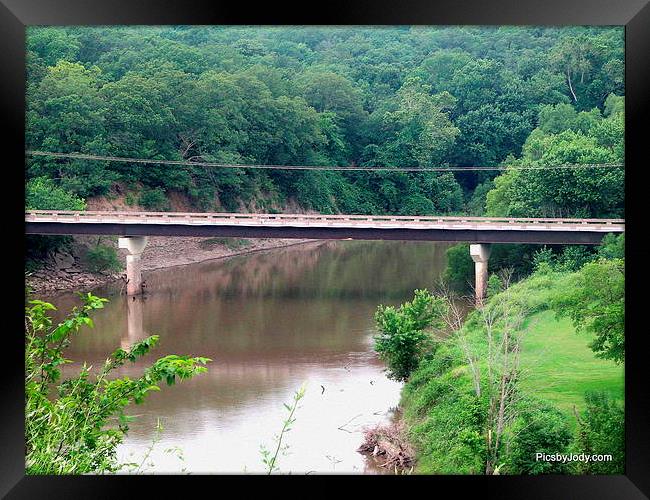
74	426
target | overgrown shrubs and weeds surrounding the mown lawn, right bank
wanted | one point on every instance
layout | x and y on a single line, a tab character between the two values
450	420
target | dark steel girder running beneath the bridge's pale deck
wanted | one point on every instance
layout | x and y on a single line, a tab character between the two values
333	233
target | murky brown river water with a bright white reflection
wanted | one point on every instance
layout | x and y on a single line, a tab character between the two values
271	321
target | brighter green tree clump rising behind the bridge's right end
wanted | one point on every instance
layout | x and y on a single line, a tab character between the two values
566	137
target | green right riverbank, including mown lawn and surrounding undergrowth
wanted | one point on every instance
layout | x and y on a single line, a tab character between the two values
446	401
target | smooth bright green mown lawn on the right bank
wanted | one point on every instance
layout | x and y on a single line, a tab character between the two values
559	366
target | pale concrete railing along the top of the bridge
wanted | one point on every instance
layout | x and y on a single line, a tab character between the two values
34	215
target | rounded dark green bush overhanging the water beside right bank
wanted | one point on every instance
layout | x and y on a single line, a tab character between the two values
403	332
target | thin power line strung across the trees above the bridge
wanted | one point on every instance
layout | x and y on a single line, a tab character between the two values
83	156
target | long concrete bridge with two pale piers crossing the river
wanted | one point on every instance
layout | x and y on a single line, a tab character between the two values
480	231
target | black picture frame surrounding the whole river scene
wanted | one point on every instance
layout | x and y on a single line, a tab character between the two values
15	15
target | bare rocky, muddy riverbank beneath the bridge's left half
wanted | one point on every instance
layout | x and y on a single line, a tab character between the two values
64	271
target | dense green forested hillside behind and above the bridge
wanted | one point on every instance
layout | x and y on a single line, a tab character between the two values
412	97
